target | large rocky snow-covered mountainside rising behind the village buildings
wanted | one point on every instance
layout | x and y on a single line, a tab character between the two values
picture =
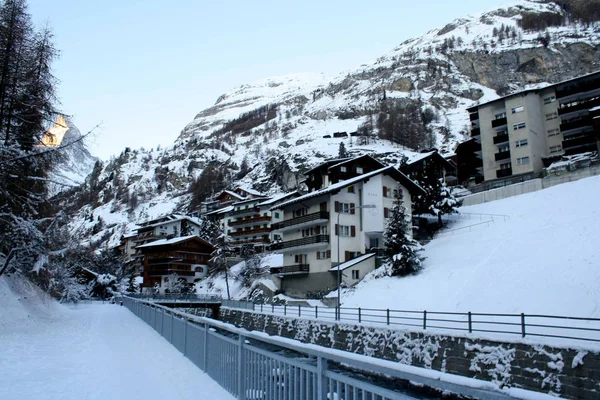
264	135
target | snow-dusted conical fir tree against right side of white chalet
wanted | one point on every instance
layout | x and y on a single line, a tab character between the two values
402	250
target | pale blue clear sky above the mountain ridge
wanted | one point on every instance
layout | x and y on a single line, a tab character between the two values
145	68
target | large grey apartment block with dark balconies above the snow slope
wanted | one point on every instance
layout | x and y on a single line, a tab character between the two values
519	134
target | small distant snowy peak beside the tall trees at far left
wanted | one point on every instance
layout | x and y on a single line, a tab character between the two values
75	162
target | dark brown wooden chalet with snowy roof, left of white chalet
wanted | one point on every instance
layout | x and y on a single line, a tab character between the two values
184	258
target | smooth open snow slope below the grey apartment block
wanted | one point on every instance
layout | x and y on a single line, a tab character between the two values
541	260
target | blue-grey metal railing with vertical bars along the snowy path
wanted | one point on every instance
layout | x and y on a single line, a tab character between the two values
253	365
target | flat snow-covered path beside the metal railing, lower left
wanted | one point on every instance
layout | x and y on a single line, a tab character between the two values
97	351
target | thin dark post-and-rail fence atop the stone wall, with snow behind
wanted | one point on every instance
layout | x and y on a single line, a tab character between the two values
524	325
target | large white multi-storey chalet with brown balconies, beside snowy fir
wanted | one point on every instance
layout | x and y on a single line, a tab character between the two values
332	213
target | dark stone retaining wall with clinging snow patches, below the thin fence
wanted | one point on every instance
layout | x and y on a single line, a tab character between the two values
568	373
